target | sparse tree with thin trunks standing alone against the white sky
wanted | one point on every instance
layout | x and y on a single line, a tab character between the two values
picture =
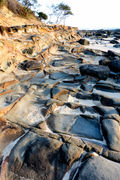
61	12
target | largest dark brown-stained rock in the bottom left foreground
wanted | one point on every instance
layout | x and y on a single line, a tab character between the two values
41	158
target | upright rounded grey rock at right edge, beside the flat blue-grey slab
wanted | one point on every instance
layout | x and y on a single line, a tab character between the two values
111	130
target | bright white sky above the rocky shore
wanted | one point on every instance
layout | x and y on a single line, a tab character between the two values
89	14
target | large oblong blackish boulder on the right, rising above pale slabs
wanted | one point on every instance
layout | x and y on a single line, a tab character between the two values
98	71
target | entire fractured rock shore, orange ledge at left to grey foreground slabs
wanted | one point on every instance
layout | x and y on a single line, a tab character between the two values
59	104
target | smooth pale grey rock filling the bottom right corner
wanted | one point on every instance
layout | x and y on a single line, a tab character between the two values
98	168
